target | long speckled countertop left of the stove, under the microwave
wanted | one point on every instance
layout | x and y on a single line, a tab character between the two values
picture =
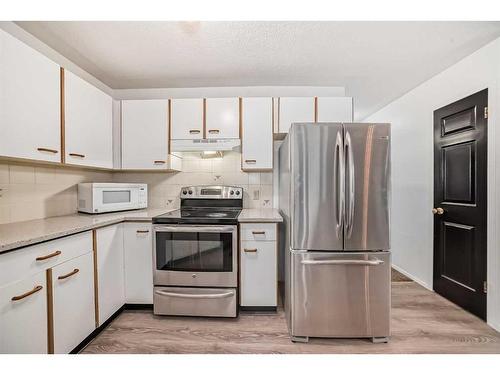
14	235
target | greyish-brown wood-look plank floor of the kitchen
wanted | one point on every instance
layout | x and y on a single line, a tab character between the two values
422	322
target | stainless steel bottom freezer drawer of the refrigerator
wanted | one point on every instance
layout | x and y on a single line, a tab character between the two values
340	294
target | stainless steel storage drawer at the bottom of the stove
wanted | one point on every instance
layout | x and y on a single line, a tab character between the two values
195	301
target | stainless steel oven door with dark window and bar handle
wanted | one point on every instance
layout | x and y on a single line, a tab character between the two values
195	255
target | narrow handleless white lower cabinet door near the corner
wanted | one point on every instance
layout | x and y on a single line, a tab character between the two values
110	266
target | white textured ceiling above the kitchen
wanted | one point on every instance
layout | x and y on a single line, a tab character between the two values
375	61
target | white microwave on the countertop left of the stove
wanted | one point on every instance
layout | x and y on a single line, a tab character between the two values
94	198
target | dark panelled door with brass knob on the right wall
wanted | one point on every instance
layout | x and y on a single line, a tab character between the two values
460	164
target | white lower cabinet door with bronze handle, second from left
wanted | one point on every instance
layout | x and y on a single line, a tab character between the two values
73	301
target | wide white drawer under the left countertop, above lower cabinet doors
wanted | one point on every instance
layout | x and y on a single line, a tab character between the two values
19	264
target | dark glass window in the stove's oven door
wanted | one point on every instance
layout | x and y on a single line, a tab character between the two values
197	252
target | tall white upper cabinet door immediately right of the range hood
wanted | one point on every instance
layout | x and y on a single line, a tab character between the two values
257	134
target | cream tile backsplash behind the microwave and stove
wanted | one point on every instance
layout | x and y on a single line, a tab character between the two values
29	191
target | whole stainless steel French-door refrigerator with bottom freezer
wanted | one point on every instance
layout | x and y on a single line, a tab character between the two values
334	184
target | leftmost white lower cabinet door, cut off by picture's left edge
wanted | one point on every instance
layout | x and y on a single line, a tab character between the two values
23	323
